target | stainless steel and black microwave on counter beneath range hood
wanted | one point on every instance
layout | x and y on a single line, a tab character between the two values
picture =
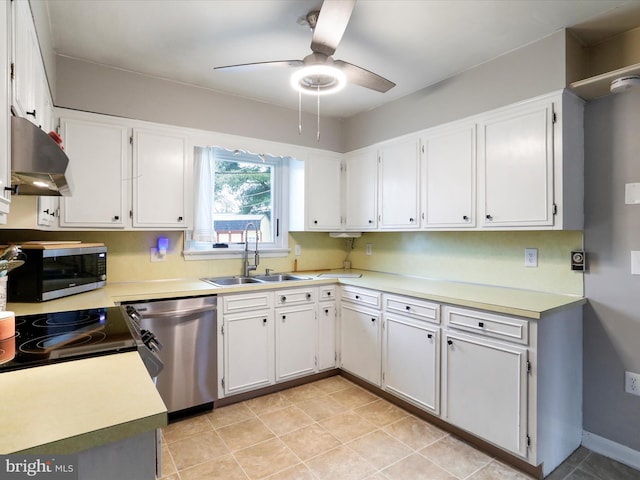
53	270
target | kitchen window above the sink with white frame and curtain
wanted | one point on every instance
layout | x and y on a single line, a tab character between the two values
238	196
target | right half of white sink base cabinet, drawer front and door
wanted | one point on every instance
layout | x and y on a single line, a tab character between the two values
296	333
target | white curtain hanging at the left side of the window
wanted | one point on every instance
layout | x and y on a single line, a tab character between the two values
204	171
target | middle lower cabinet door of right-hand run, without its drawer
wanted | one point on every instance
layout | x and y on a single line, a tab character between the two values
411	367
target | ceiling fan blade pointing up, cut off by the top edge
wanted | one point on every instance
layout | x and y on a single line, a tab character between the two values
332	22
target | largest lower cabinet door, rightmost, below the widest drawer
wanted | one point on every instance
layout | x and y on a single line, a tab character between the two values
485	389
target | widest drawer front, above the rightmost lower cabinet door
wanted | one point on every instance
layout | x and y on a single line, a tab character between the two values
488	324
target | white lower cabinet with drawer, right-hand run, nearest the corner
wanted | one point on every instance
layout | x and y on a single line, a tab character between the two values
360	334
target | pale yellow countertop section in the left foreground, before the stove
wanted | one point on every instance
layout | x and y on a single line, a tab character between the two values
72	406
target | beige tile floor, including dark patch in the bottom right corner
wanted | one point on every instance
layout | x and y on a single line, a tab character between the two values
333	429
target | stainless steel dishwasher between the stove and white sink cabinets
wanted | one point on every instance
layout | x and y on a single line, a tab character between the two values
186	328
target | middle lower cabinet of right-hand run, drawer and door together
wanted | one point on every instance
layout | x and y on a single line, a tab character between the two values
411	351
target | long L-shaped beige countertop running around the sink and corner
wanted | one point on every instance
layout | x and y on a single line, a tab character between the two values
512	301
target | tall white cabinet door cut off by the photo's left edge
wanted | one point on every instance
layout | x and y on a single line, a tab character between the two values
5	117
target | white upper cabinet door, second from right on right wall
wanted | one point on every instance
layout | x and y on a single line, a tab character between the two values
449	177
